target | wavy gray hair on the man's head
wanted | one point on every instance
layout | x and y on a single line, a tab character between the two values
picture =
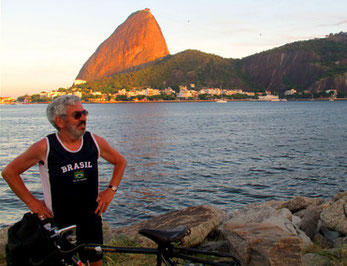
58	107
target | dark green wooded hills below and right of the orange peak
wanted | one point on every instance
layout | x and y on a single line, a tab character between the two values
314	65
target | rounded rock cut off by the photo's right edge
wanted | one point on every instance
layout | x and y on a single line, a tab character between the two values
335	216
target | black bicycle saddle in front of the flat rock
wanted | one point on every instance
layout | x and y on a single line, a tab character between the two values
165	237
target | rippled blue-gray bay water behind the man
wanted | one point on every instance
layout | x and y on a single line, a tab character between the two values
184	154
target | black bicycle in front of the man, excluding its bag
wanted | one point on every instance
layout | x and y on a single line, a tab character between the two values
166	252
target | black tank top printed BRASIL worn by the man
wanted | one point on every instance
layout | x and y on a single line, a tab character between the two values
73	177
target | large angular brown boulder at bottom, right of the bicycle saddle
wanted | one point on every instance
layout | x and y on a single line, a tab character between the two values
263	244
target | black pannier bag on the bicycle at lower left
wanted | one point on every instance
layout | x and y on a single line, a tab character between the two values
30	243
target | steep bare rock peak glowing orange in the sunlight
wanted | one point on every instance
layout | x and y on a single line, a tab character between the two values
136	42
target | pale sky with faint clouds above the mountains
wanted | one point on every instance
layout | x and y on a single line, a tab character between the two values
44	43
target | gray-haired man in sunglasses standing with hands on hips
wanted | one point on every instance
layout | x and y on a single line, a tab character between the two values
68	162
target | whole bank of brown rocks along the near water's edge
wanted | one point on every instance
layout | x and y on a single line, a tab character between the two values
272	233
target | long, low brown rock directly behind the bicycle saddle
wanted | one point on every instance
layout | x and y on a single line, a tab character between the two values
200	219
